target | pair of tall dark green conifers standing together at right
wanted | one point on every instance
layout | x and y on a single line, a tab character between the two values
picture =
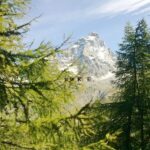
132	79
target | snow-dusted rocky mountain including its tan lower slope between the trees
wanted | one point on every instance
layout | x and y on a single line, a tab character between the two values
90	56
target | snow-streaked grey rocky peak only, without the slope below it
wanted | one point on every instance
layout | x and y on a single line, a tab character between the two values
92	54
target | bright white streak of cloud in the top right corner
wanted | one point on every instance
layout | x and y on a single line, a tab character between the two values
115	7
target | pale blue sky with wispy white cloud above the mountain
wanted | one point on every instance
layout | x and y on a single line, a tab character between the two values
80	17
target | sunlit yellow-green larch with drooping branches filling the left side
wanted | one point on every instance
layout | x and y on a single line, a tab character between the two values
32	88
